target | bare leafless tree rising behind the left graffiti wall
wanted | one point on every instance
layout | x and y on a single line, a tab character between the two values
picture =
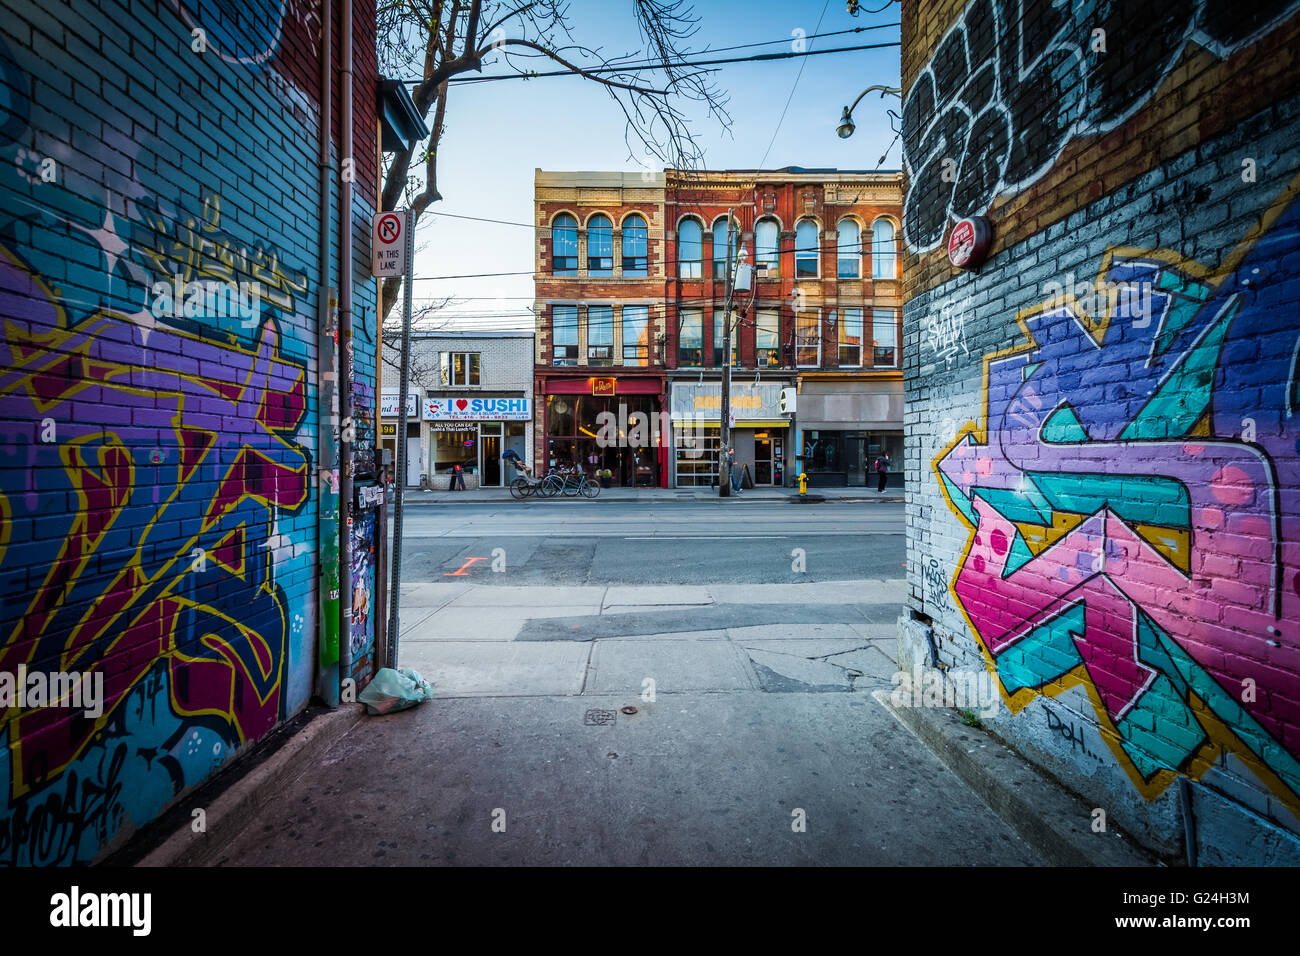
440	40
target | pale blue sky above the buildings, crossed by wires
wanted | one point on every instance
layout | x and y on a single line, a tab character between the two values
497	133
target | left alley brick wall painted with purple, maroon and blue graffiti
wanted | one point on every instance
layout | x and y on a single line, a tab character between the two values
157	456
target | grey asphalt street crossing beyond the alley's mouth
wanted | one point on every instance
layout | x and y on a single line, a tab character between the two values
652	543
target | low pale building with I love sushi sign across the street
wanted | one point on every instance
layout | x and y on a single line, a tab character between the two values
471	400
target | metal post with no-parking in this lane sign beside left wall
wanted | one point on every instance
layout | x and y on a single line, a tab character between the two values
392	256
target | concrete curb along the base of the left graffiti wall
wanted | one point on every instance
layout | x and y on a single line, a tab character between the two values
231	811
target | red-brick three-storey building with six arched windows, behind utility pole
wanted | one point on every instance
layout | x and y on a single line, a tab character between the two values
824	318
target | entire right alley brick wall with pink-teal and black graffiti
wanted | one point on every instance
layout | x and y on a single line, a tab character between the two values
1103	460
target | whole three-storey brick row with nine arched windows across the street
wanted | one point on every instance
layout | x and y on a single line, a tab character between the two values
631	297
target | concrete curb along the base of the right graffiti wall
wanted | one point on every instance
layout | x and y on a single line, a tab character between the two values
1051	820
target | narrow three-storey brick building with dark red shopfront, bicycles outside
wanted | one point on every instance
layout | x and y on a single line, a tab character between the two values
601	397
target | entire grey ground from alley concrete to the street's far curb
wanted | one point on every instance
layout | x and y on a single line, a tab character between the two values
729	721
